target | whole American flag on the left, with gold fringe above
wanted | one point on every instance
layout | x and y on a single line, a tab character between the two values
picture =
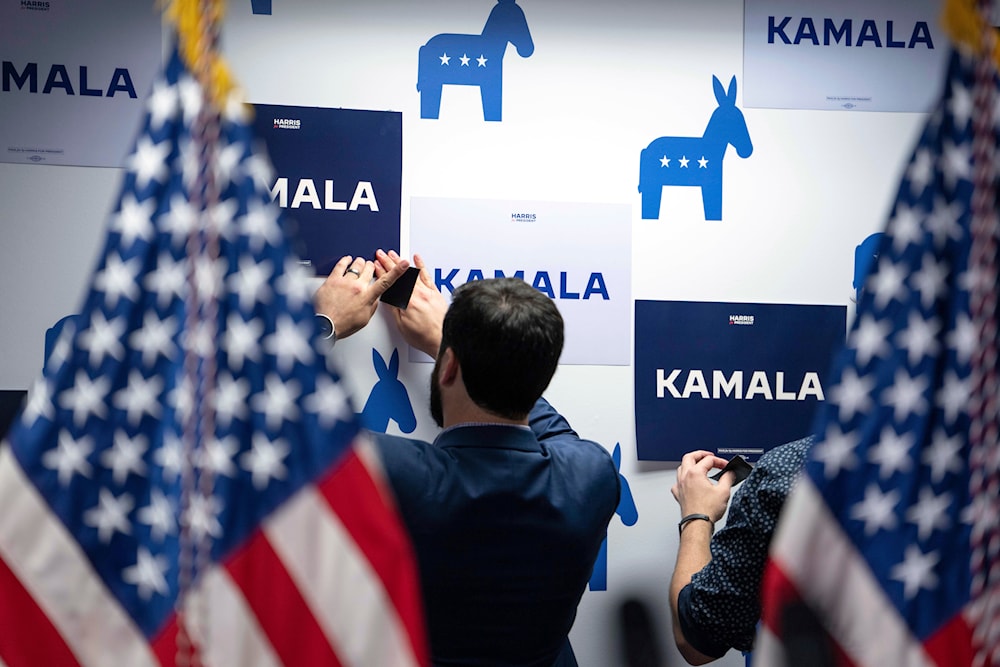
187	483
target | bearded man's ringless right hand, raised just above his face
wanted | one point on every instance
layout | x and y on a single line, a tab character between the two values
422	320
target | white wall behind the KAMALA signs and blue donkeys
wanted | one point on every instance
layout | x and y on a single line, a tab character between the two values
604	80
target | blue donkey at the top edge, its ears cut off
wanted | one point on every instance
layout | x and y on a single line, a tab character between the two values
473	60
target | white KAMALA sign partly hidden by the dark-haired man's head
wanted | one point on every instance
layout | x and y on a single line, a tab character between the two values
576	253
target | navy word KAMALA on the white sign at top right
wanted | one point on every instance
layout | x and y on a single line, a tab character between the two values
870	33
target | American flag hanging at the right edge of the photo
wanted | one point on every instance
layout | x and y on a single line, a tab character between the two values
886	550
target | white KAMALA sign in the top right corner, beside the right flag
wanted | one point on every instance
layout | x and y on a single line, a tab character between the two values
843	54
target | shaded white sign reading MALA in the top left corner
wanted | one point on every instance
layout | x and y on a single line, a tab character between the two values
74	75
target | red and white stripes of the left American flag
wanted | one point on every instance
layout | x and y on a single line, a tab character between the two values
309	588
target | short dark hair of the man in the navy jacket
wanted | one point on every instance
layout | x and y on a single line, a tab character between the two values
507	337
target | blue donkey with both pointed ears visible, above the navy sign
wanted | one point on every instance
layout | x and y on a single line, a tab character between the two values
695	161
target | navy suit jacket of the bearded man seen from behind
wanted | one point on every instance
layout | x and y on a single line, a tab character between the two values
506	522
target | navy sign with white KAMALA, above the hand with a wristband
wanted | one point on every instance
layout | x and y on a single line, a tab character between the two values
731	378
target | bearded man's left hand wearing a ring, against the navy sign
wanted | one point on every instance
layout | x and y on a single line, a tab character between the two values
349	296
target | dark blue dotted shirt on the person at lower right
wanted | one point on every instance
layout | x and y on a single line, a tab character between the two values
720	608
